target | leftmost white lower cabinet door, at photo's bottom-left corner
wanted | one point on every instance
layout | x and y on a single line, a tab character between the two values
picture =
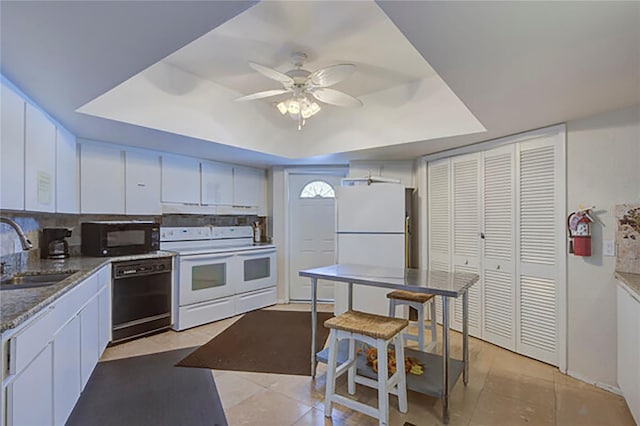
30	395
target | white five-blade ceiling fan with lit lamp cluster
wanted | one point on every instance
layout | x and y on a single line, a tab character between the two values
305	88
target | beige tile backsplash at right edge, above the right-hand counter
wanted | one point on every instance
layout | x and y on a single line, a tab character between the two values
628	238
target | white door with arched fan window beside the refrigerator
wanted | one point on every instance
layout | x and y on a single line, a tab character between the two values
311	231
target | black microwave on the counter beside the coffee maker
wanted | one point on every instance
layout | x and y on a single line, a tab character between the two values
119	238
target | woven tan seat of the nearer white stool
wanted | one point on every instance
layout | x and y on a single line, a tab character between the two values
375	326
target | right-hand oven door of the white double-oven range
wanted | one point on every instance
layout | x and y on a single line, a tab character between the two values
257	269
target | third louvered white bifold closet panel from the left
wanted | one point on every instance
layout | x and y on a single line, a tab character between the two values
498	227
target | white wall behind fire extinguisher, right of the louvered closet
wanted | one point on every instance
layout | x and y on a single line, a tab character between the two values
603	169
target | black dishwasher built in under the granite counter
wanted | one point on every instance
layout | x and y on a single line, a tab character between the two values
141	302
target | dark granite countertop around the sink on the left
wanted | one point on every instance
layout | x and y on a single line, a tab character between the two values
17	305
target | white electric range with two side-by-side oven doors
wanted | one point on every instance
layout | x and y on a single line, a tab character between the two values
219	272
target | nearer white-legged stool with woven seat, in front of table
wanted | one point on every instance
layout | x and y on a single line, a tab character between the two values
377	331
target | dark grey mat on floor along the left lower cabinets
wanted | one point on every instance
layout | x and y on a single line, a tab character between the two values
149	390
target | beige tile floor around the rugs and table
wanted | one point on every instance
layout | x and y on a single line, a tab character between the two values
504	389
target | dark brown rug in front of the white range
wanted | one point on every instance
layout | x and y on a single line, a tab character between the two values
263	341
